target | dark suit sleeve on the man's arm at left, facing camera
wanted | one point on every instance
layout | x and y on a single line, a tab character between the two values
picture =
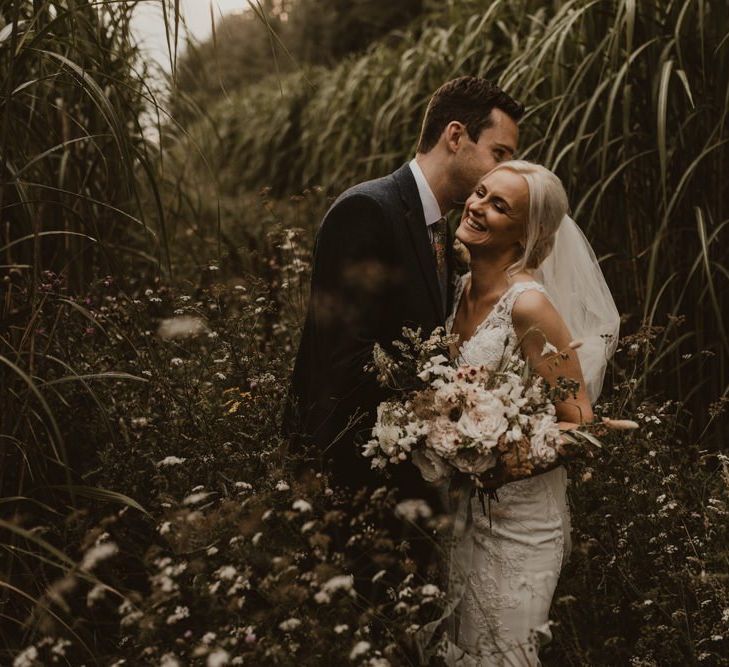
352	274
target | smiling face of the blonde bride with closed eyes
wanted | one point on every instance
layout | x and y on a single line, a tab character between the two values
495	214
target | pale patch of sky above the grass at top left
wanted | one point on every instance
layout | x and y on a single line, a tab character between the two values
149	28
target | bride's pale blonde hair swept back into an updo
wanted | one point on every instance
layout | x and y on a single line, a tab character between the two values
547	207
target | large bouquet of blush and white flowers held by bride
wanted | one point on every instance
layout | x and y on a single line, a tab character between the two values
447	418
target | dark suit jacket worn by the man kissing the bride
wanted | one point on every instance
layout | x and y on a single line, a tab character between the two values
373	273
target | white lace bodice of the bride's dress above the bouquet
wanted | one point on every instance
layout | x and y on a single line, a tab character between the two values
494	337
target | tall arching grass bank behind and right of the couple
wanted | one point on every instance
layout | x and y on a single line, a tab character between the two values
626	100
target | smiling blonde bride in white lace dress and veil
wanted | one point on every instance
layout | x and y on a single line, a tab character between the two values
535	286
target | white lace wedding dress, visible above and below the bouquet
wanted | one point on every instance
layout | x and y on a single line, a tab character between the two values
517	549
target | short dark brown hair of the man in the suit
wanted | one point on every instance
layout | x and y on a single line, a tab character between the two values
469	100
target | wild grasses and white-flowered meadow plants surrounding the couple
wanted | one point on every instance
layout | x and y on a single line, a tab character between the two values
153	291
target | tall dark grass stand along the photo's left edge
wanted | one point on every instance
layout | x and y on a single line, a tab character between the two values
76	176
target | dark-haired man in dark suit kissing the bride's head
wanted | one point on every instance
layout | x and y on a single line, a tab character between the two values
383	260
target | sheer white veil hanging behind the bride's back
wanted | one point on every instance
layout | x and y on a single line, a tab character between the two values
577	288
